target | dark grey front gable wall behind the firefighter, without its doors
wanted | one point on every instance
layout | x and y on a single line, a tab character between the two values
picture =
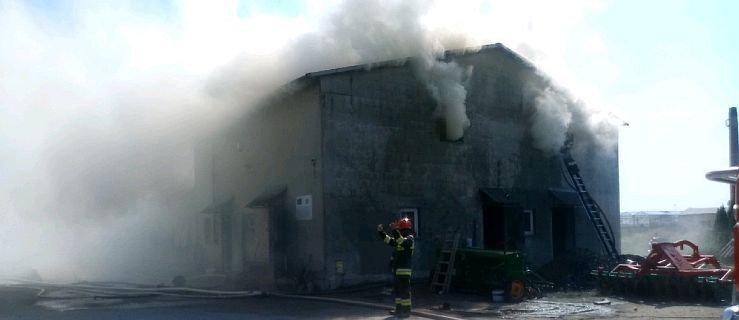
382	152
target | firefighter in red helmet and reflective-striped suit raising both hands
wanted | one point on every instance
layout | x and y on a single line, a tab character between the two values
402	243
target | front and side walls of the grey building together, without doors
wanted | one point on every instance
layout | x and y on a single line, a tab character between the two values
365	144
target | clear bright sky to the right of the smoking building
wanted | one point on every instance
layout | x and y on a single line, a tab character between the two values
676	78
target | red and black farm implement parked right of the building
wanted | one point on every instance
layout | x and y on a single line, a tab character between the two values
667	273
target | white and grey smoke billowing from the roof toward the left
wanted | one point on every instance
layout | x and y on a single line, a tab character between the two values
101	103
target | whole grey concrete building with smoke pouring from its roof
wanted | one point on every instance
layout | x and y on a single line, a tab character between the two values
292	193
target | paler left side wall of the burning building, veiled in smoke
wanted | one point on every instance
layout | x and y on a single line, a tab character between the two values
273	146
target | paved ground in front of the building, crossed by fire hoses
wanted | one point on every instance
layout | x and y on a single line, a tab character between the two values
18	303
